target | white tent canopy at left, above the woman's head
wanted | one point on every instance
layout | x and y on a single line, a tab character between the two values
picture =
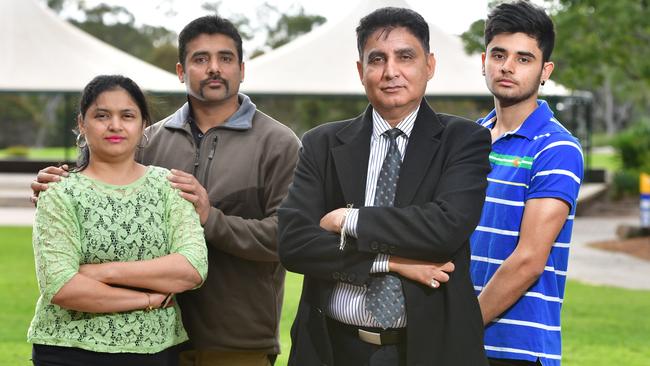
42	53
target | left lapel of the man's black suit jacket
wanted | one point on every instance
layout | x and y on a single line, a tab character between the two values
351	158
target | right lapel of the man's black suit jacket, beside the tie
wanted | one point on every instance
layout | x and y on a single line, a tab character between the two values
422	147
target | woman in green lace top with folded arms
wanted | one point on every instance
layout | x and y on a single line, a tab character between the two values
112	243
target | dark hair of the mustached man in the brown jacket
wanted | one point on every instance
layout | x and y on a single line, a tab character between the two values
210	24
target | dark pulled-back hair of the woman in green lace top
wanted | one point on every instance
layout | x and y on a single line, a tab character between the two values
94	89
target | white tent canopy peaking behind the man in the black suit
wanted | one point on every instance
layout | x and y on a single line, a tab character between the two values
322	62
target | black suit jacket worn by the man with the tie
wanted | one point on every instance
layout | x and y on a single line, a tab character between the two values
438	203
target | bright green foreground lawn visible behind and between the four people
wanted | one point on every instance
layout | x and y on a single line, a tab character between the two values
601	325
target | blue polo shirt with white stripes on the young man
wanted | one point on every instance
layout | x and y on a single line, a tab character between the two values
540	159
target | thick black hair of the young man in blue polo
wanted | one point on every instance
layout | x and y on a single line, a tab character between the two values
522	17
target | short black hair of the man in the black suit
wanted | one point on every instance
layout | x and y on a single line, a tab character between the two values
389	18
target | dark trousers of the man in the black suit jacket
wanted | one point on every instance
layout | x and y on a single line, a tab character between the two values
349	350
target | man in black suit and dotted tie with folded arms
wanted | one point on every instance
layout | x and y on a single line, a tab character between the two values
379	215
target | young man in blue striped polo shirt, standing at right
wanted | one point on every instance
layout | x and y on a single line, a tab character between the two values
520	249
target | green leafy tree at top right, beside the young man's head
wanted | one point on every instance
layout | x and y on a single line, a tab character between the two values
602	46
